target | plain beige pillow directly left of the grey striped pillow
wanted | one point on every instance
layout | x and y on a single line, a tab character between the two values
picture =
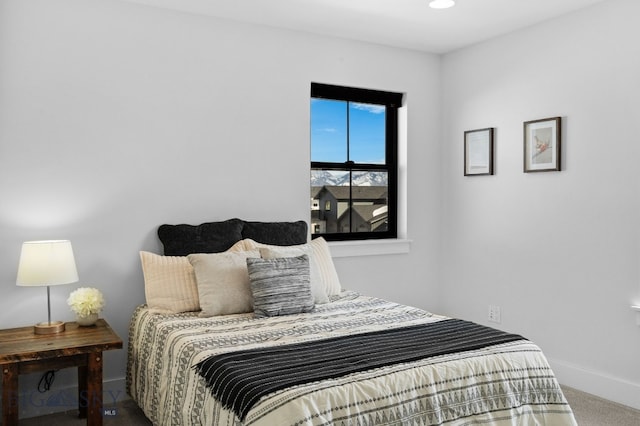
223	282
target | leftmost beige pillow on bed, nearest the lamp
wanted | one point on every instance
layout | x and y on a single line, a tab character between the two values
169	283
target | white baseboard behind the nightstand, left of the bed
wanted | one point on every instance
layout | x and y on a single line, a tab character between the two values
33	403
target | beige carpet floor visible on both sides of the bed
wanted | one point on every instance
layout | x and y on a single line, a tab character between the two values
589	410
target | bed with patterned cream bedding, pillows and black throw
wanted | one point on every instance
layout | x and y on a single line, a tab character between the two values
446	371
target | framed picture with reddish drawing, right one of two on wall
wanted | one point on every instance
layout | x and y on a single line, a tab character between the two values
542	141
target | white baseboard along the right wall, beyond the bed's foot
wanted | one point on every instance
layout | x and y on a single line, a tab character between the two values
596	383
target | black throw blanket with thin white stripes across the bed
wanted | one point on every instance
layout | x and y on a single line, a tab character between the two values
239	379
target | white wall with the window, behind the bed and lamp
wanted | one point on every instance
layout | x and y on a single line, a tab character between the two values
116	118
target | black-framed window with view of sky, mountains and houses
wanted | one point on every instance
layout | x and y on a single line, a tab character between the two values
354	138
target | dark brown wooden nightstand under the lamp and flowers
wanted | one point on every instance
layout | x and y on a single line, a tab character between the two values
22	351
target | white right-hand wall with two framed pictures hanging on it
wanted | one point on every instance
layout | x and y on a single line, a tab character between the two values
558	251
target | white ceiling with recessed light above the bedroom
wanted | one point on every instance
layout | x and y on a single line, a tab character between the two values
401	23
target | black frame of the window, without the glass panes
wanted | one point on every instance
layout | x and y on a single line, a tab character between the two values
392	101
